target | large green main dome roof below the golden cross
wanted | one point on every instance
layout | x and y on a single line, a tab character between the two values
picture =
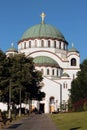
42	31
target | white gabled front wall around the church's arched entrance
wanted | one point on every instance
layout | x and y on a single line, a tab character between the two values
51	89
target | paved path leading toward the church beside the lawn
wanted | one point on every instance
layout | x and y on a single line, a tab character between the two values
34	122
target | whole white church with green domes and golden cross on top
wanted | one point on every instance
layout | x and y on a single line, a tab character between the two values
59	65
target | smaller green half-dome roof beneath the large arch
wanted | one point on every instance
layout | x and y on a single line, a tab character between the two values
45	61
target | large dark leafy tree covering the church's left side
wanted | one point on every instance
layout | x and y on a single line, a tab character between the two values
20	72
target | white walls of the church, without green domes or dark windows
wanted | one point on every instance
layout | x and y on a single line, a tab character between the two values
52	85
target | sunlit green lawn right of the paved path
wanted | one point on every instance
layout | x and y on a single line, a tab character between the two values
71	121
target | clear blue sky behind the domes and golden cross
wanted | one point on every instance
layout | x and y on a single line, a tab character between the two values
69	16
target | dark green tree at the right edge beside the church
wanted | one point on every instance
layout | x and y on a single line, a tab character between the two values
79	85
